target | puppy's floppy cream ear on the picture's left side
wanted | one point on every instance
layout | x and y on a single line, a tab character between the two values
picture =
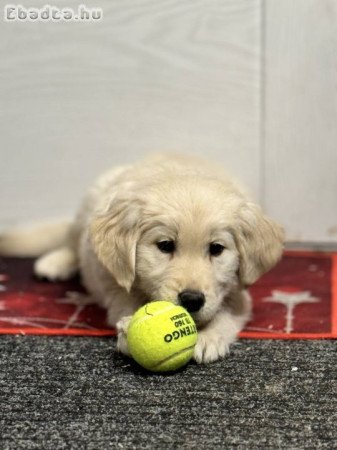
114	236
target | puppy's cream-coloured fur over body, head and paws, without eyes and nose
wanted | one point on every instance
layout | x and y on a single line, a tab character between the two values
130	209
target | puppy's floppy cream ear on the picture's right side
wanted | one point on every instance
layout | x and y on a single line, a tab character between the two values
260	243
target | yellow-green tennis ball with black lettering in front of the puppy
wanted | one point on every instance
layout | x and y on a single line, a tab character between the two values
161	336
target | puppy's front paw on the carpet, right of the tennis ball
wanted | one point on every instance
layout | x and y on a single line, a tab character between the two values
210	347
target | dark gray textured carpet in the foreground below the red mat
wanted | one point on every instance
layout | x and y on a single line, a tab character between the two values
77	393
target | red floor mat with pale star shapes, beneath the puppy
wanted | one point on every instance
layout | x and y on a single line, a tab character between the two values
297	299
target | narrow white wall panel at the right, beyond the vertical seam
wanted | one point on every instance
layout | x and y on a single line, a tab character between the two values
300	145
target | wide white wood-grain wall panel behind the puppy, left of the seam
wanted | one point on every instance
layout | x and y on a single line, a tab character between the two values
152	75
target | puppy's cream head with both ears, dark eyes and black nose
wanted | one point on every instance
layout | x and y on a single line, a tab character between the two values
189	242
